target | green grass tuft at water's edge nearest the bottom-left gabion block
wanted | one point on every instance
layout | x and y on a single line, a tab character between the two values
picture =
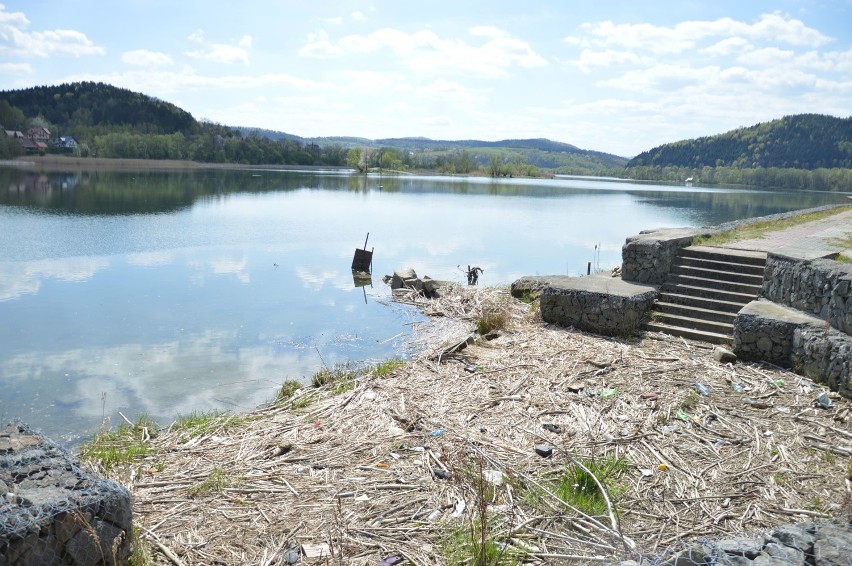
110	448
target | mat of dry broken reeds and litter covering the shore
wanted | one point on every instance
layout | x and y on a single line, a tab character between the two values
462	448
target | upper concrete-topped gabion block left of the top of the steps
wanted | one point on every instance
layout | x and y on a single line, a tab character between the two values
648	257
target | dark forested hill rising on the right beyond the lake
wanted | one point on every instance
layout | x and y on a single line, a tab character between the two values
804	141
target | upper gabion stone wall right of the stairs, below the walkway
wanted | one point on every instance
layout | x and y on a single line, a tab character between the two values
820	287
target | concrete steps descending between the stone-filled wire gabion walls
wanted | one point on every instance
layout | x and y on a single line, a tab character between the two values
705	289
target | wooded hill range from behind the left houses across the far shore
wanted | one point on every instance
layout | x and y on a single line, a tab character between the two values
108	121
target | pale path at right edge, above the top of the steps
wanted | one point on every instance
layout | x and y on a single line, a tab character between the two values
812	240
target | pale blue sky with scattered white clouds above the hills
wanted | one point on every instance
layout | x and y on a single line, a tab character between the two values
615	76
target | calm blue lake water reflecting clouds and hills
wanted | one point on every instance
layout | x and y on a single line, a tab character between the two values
167	293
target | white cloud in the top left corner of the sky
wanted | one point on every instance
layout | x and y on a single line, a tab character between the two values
14	40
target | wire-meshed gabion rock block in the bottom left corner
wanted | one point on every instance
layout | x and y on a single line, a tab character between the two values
54	512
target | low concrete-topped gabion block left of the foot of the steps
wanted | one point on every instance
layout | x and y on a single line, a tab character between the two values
598	303
